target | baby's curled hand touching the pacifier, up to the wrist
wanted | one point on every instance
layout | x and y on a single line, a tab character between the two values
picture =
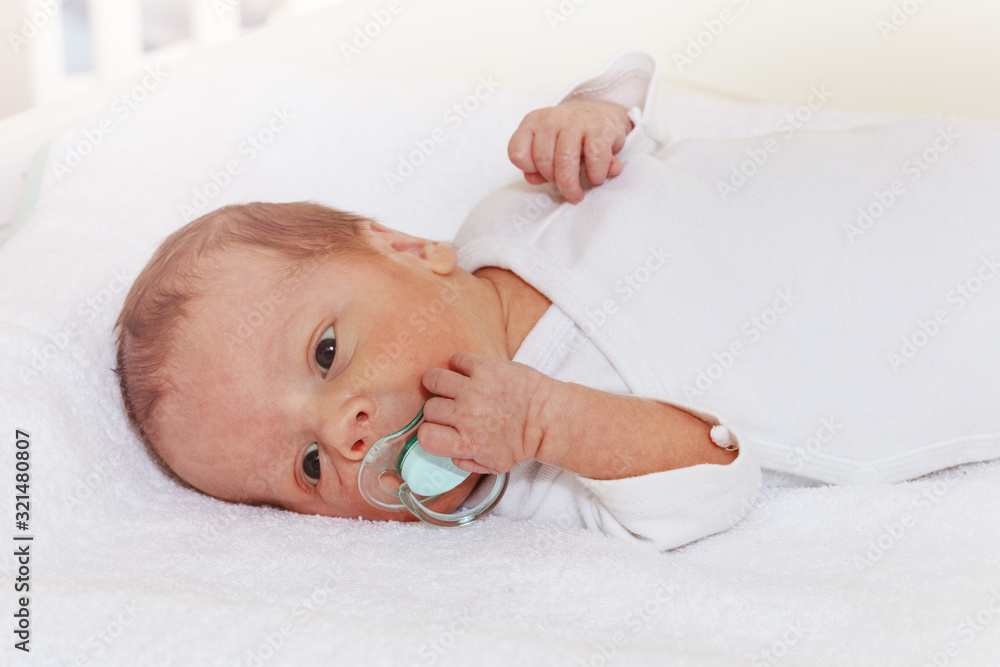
486	416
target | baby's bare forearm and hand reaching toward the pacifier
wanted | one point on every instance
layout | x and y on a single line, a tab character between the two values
491	414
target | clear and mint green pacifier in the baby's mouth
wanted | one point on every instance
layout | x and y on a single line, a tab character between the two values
398	474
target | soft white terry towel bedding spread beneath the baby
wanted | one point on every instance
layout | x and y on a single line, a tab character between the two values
128	568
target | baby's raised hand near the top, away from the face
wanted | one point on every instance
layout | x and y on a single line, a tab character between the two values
548	143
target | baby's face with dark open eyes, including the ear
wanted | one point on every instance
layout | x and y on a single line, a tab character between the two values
276	376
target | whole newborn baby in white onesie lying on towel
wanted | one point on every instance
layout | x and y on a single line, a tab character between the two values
266	347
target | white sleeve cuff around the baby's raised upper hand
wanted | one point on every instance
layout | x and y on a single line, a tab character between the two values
630	80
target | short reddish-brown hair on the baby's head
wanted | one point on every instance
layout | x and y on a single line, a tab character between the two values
158	301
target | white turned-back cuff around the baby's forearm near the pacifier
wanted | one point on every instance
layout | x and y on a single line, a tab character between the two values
671	508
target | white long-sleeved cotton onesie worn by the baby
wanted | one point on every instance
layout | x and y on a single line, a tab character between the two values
836	308
